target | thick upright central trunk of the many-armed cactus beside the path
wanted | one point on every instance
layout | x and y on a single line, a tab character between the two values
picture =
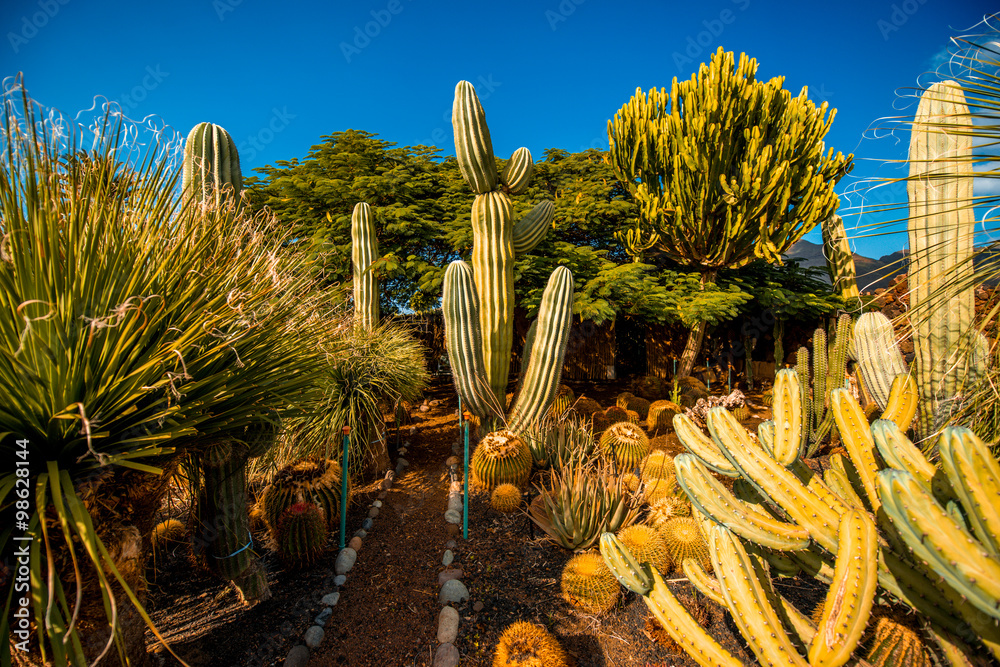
493	268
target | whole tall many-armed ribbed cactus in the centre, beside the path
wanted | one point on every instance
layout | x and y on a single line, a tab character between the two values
481	357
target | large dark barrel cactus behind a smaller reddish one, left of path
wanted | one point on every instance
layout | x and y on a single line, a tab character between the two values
314	480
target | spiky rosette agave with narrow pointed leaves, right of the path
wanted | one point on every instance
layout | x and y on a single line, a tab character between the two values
581	501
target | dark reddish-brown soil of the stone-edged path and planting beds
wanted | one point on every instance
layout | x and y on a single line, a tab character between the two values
387	612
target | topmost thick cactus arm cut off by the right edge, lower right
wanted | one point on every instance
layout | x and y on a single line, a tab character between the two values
975	477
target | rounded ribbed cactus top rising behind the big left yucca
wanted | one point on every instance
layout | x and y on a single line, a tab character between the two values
211	164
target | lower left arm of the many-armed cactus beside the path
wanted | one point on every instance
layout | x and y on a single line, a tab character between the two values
460	305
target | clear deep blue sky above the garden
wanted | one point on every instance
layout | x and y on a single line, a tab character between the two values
550	73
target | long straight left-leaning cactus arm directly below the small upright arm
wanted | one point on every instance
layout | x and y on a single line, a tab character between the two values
803	506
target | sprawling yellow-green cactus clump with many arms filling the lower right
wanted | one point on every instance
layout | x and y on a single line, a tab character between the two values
824	526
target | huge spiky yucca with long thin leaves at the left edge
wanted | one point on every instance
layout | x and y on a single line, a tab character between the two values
136	329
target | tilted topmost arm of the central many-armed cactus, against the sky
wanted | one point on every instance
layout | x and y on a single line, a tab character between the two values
473	146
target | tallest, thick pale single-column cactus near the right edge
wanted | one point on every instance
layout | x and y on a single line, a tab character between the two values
941	229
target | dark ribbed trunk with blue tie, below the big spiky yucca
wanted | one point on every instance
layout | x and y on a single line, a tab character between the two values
222	529
